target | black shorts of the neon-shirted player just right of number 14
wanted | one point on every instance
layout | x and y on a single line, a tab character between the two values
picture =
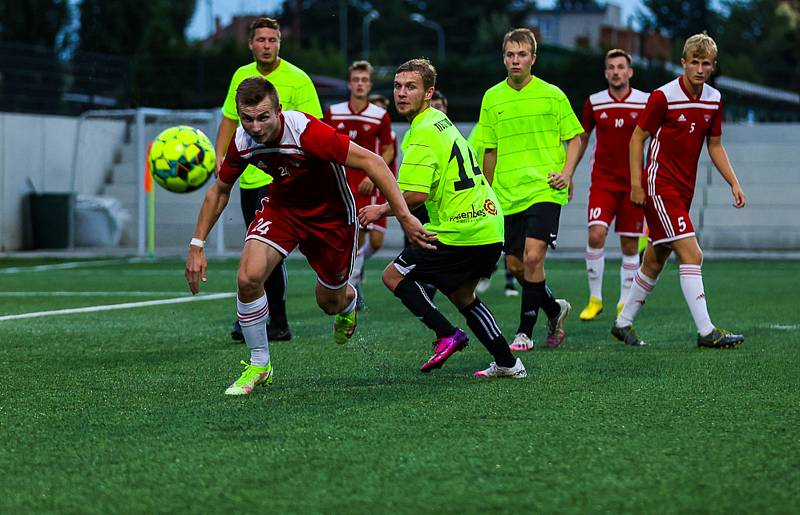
539	221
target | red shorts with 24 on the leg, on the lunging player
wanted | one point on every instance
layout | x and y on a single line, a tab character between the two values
330	245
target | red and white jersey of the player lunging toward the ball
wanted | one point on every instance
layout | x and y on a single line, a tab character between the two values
306	164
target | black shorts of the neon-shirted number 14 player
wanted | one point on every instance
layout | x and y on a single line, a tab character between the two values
448	267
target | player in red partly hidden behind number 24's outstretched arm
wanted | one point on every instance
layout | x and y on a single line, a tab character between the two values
368	125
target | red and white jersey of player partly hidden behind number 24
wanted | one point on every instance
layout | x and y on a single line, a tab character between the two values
370	128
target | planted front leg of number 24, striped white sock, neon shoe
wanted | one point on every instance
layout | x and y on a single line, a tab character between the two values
257	262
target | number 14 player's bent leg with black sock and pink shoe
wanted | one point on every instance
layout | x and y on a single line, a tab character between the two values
404	277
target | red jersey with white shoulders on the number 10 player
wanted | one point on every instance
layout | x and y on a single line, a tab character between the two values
614	119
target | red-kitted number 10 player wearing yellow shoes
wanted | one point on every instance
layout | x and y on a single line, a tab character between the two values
612	113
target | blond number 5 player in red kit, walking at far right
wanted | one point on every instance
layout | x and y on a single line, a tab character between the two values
680	116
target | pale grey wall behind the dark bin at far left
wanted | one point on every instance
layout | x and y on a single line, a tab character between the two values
37	152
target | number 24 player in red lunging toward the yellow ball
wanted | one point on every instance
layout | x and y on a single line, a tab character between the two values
310	207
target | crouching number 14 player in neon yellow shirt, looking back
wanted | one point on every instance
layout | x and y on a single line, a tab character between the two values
439	169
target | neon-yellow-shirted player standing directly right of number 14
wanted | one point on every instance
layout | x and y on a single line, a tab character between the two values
525	123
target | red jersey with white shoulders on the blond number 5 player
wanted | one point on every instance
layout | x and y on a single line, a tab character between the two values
678	125
